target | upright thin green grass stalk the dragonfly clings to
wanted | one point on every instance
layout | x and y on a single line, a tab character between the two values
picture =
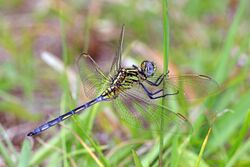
165	68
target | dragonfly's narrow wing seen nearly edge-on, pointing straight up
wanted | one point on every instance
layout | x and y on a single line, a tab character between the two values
116	64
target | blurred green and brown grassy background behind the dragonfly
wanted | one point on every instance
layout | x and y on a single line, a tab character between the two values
39	41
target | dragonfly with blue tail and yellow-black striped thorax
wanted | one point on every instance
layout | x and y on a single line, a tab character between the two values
135	92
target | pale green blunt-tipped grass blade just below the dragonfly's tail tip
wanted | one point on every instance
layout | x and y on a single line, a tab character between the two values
25	154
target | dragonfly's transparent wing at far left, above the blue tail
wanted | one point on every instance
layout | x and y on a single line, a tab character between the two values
93	78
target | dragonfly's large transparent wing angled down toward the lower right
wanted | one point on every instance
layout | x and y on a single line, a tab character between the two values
146	115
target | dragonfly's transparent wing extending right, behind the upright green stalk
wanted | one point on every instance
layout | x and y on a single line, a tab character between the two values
190	86
